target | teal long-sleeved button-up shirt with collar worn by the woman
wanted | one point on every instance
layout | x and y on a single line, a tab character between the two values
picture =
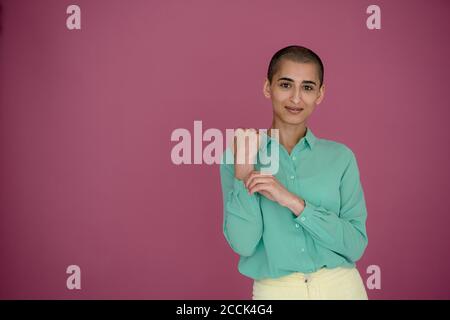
331	230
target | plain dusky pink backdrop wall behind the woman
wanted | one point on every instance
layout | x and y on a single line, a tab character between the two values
86	176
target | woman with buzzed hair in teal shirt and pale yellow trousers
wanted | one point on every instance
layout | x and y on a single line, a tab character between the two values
299	231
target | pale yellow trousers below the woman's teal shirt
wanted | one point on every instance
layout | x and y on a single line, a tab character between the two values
324	284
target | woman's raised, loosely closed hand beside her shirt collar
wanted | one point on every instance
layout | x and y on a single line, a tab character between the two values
244	166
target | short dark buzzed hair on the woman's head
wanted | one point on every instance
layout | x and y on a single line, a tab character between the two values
296	54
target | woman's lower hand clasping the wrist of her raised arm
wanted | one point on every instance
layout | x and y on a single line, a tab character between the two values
269	186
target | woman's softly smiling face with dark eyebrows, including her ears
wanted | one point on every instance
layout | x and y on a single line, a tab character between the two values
294	91
